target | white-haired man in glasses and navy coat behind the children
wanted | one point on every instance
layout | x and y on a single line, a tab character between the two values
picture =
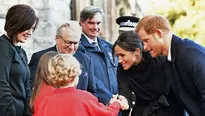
67	40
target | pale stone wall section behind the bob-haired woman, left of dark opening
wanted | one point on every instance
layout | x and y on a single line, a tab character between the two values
51	13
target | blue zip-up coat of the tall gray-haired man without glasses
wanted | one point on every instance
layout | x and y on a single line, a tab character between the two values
104	67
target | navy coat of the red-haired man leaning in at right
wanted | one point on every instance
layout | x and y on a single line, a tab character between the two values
187	74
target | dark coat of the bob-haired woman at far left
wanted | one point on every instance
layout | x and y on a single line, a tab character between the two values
14	80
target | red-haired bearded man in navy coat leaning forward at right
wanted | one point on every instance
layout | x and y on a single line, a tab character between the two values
186	61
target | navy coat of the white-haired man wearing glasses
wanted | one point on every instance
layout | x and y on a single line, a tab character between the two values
86	79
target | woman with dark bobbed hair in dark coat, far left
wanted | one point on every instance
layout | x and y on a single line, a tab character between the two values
15	91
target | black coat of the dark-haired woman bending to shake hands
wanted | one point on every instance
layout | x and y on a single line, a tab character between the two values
153	94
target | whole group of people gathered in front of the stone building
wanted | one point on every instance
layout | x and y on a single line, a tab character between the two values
148	71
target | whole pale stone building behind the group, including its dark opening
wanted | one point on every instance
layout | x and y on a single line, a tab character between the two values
54	12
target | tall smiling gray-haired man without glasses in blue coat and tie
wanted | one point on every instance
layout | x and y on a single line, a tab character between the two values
100	52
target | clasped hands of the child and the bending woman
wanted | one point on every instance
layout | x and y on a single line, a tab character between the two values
120	99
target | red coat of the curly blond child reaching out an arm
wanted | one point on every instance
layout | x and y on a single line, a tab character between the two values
73	102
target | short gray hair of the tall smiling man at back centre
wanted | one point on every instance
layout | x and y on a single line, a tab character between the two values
89	12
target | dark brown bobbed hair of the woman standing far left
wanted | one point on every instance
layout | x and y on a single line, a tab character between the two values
18	19
